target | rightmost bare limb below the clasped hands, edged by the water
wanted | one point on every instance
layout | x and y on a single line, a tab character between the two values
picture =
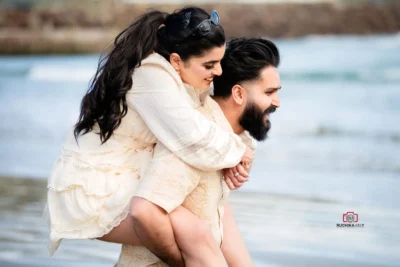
233	247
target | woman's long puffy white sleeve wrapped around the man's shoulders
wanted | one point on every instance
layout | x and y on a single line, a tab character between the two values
166	109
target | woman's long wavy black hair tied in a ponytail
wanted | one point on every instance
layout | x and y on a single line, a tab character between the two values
155	31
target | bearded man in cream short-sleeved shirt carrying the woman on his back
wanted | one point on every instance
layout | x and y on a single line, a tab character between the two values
244	96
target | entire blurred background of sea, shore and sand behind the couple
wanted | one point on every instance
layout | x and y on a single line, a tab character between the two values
333	148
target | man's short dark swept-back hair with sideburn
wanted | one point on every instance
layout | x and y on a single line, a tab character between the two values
243	61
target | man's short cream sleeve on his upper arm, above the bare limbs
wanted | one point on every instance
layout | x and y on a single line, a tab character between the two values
167	180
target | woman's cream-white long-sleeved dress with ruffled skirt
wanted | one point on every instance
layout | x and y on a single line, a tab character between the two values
91	185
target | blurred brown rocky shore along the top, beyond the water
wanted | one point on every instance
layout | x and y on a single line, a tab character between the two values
90	30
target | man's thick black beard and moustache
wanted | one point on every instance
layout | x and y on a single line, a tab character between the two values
252	120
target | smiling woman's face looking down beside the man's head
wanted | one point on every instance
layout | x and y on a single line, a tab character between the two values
199	71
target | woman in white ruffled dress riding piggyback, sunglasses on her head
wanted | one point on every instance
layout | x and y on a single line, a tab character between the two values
138	98
